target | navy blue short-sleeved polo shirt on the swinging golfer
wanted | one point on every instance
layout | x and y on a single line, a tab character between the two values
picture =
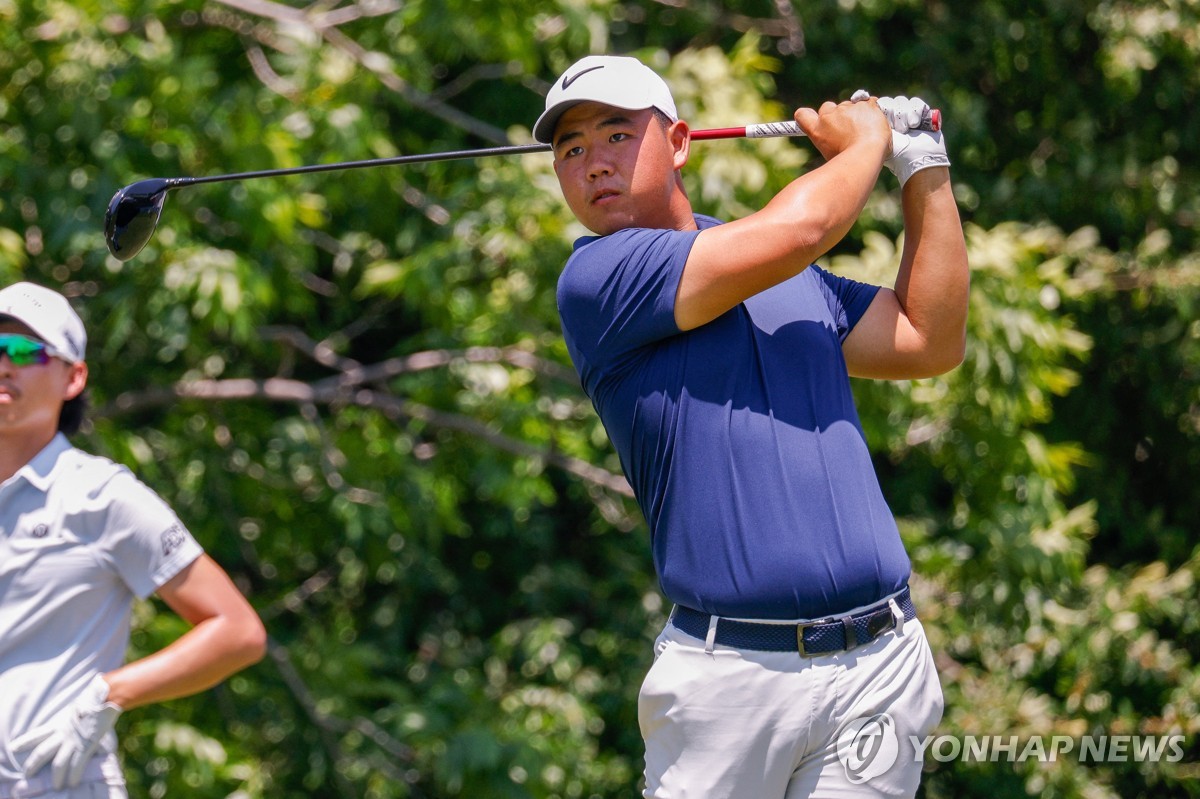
740	438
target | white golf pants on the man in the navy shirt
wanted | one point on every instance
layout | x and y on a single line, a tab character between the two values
735	724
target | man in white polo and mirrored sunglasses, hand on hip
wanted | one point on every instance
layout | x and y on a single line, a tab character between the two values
80	539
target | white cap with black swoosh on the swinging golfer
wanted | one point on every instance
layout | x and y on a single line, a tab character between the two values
617	81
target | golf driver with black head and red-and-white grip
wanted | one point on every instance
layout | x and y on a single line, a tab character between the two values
135	211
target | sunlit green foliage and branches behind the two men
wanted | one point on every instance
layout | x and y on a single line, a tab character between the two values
353	389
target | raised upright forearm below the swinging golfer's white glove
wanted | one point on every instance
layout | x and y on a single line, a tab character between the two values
933	284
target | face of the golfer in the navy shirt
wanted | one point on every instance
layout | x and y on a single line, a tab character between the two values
617	169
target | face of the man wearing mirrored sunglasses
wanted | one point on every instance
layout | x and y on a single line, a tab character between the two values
32	397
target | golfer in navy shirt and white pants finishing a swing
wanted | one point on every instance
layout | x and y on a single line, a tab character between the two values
718	358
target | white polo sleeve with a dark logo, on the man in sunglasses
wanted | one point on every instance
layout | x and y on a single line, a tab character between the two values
145	542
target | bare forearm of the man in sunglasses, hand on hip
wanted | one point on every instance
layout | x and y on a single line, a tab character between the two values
202	658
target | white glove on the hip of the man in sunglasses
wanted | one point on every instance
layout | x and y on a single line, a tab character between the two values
71	738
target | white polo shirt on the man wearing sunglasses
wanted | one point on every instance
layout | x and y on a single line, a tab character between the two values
80	539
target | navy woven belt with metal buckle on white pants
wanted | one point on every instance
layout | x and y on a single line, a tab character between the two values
819	638
